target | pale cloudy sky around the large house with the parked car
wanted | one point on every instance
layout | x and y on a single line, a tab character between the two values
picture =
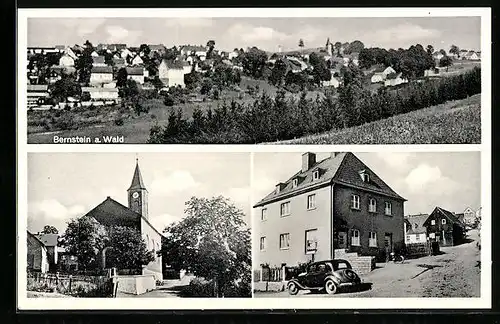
450	180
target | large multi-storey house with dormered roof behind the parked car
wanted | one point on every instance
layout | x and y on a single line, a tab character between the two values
326	209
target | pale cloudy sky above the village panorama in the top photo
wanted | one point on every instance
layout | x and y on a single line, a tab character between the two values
265	33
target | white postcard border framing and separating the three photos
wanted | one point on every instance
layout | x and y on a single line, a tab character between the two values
23	148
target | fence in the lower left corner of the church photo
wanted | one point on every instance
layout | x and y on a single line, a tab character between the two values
74	285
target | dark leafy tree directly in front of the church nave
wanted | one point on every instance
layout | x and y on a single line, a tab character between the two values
128	249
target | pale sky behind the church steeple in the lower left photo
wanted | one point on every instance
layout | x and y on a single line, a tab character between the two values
62	186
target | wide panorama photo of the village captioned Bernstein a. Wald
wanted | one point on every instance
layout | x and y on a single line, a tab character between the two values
250	80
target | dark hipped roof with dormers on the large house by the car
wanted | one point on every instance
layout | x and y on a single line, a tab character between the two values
341	169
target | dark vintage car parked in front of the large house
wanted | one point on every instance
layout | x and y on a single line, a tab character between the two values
330	276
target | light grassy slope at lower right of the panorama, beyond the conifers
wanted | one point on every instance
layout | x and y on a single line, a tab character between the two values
454	122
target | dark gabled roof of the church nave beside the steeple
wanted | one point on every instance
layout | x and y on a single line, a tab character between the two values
110	212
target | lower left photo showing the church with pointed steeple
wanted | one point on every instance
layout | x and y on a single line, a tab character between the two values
157	225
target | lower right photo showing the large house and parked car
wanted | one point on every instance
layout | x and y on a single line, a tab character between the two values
382	224
